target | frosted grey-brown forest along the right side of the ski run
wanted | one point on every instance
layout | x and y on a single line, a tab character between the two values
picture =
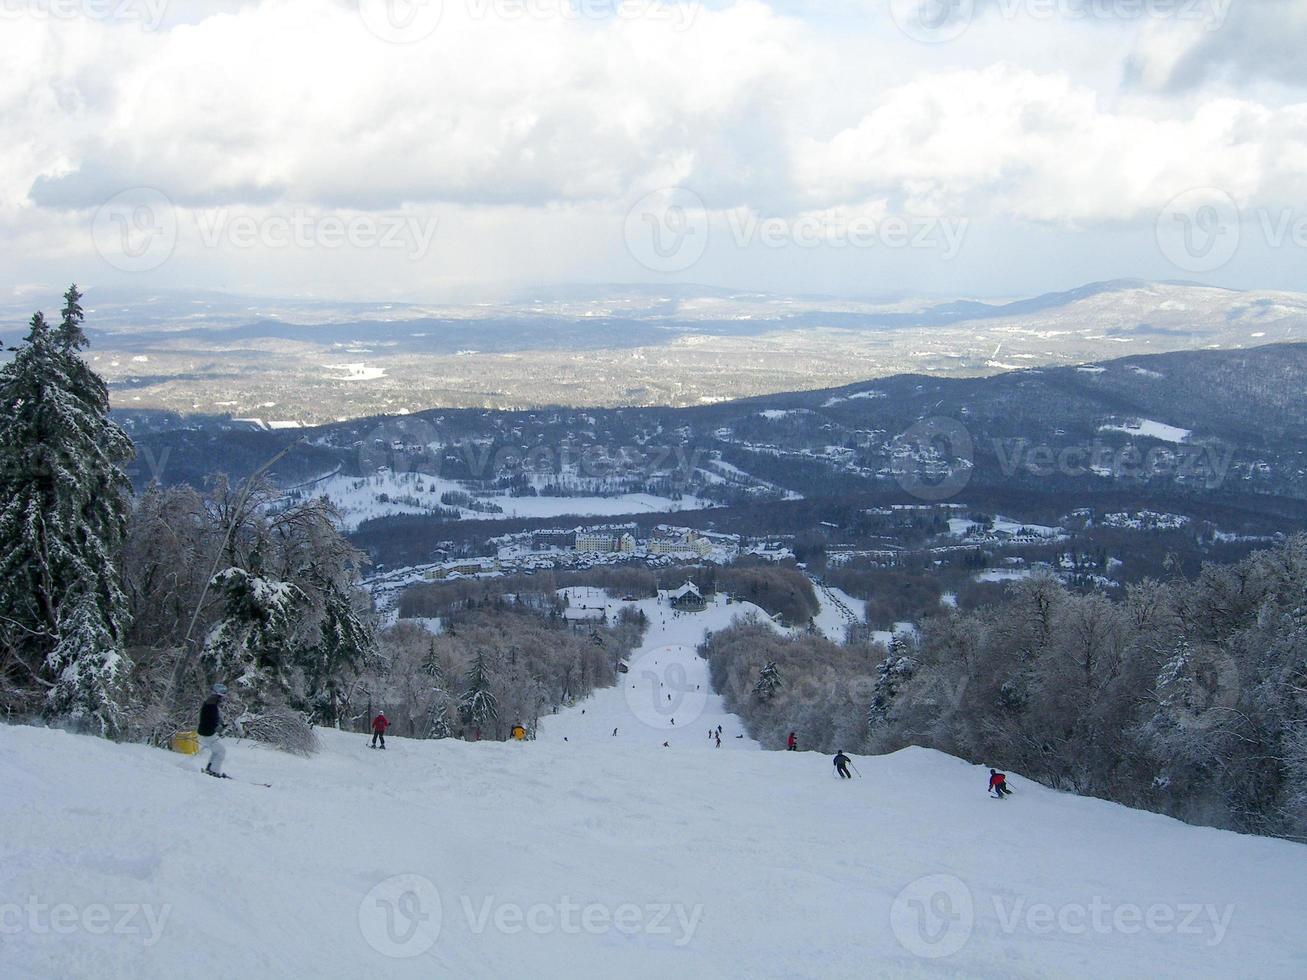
1186	697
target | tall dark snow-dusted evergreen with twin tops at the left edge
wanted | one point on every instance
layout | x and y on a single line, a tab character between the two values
63	512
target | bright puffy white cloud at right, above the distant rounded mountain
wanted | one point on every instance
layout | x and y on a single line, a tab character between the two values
1040	147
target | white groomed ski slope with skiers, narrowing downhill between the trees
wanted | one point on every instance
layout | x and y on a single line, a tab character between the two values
591	855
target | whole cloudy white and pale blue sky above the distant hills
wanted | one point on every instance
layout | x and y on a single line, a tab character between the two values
448	150
